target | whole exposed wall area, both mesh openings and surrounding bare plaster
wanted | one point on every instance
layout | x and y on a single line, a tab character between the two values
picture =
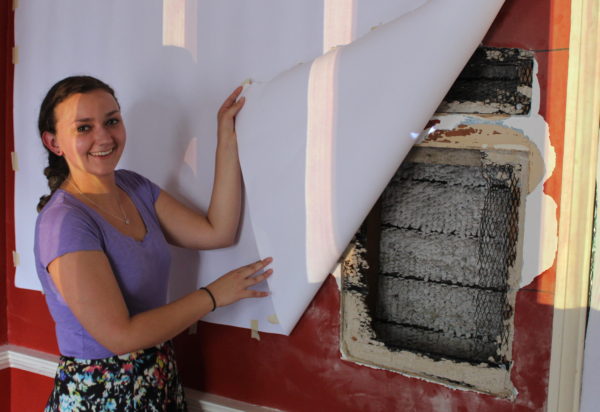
418	297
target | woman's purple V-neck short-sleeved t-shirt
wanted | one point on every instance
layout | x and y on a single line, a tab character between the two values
141	268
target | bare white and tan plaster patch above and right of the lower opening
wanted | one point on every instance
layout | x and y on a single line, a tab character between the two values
515	133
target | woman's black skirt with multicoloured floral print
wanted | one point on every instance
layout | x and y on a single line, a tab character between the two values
146	380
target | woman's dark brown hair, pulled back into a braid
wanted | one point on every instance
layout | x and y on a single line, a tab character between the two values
58	170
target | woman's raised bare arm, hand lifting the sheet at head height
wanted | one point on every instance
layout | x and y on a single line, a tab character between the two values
187	228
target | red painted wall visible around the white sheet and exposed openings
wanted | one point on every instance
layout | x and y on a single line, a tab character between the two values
304	372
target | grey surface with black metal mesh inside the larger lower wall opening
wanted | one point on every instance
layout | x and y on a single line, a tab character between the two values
448	239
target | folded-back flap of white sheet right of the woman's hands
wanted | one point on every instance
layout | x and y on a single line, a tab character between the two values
309	190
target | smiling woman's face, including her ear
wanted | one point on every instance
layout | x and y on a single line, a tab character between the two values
90	133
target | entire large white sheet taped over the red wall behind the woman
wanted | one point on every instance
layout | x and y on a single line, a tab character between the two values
318	142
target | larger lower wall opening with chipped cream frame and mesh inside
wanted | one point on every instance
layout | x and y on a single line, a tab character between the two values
448	270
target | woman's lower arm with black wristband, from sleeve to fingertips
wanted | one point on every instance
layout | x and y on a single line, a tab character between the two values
88	285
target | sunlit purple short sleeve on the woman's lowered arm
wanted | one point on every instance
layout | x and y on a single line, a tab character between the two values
63	229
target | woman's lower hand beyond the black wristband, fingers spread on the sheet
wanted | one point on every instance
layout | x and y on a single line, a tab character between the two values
234	285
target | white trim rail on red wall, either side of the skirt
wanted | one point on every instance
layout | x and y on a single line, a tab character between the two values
41	363
